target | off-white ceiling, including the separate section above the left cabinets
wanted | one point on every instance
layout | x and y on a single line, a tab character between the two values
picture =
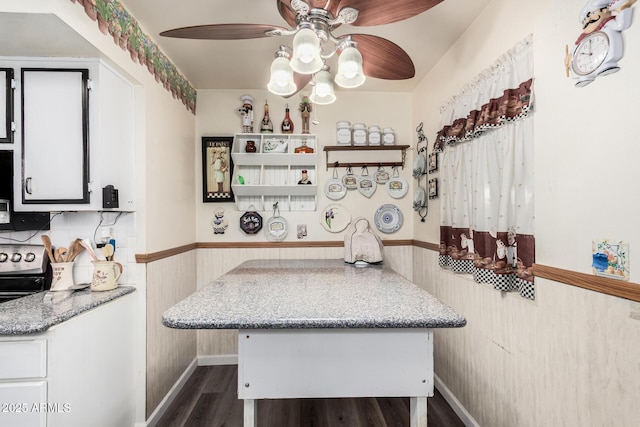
240	64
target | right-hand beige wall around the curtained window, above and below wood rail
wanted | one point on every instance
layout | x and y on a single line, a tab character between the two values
570	357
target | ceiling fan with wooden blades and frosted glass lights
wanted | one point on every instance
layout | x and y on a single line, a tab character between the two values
378	57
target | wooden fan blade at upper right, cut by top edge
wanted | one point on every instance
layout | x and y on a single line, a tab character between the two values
378	12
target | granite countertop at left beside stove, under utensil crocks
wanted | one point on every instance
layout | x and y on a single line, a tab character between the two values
36	313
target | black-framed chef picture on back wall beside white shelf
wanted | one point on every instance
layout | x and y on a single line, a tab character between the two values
217	169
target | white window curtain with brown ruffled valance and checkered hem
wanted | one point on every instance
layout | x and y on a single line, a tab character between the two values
487	176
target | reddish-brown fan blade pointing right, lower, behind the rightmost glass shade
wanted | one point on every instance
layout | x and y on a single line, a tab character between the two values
383	59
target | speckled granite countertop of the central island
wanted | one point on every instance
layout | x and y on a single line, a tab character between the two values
280	294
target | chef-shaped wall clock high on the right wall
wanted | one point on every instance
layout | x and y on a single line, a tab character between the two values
599	48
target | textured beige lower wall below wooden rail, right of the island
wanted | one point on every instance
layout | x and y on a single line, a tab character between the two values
570	358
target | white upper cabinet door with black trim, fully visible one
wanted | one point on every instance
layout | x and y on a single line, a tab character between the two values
55	137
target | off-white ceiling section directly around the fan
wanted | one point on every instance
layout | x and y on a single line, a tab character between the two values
244	64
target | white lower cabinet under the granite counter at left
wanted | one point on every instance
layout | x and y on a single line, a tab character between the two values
78	373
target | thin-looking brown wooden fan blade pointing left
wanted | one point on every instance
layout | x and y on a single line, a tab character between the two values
222	31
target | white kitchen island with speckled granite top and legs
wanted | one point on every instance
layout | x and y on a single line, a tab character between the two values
322	328
